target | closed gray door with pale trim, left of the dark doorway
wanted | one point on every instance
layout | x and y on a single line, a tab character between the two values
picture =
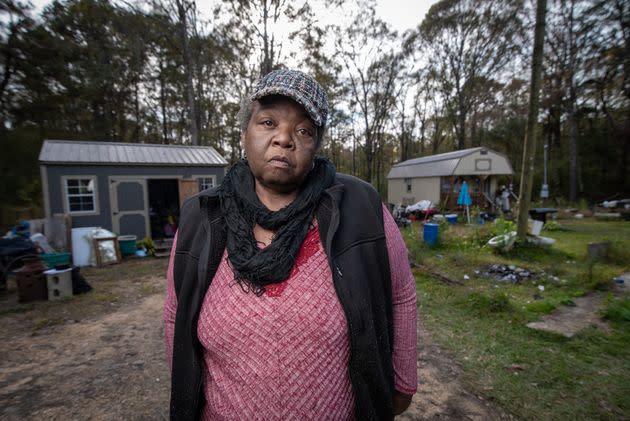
129	206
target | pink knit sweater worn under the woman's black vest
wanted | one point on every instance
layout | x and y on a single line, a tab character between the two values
284	355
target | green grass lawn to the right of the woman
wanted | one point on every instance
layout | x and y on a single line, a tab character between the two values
532	374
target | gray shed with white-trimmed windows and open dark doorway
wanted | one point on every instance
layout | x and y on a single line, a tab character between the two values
127	188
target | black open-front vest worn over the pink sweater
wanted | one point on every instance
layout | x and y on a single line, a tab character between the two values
350	221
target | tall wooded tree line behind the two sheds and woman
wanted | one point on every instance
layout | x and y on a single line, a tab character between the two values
157	71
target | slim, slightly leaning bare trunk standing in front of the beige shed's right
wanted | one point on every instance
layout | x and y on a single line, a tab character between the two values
529	148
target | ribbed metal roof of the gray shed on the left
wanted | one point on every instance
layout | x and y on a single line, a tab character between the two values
111	153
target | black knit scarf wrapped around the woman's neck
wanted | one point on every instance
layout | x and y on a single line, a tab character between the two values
255	267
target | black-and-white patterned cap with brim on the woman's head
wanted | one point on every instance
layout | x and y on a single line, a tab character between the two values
298	86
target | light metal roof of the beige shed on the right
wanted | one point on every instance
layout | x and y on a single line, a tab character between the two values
439	165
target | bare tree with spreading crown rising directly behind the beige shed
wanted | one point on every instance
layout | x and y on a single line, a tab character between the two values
467	42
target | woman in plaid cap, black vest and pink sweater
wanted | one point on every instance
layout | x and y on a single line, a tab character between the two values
289	290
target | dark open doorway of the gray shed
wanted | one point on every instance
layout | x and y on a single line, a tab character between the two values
163	207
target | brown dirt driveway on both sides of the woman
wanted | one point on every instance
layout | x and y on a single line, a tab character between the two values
100	356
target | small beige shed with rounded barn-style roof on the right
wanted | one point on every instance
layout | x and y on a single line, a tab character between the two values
438	177
